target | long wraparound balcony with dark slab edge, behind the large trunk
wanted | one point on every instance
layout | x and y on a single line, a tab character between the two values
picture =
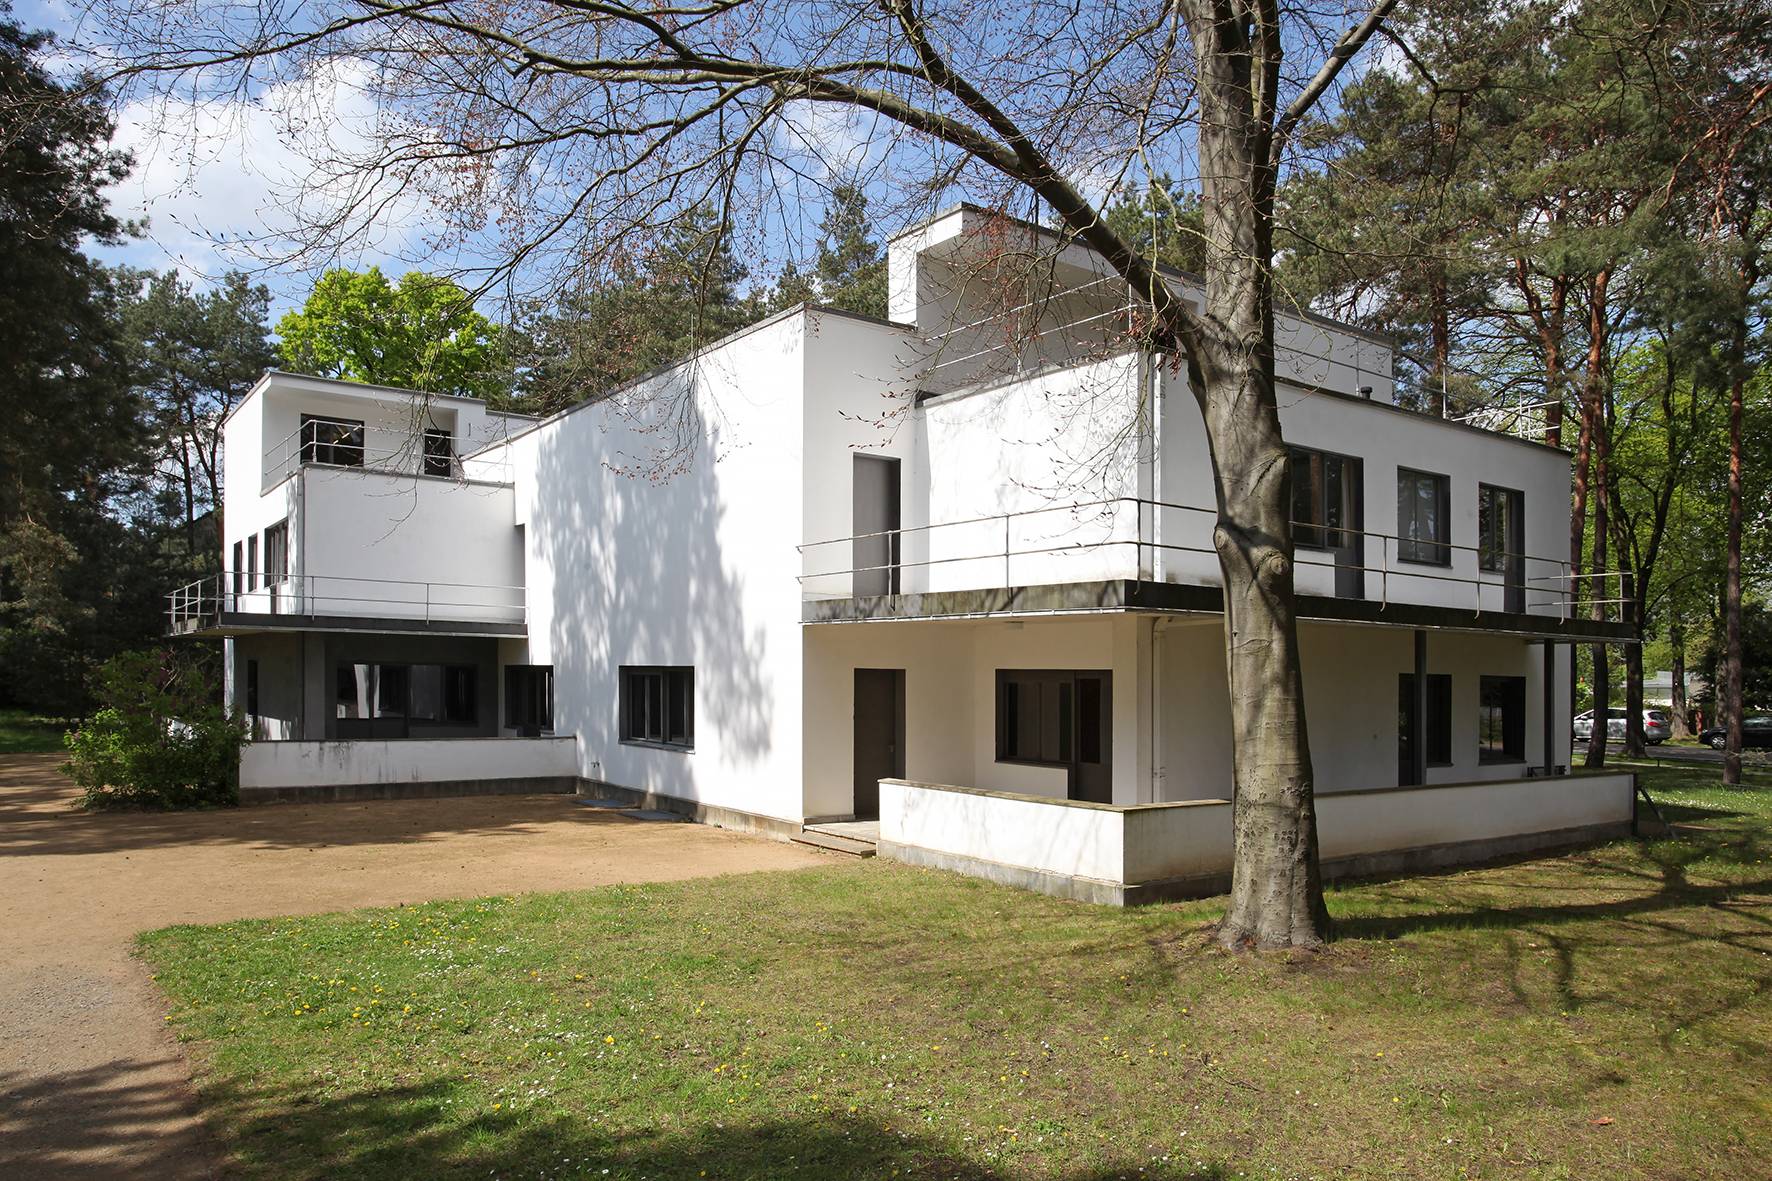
1139	554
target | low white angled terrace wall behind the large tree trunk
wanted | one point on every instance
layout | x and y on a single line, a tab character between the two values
1162	841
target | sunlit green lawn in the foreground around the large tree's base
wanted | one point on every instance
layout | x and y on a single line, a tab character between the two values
1599	1015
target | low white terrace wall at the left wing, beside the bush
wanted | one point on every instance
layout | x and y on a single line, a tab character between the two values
410	762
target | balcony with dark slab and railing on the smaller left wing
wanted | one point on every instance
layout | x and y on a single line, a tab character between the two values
238	602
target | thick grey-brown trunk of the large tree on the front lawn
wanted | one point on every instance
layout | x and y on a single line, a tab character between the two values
1277	888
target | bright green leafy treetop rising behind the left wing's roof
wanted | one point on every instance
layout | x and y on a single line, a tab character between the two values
421	332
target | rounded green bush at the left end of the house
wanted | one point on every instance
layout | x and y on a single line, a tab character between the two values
160	739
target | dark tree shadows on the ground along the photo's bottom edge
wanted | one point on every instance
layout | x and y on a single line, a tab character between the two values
424	1132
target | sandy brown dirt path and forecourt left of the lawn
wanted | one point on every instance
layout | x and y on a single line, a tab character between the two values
91	1086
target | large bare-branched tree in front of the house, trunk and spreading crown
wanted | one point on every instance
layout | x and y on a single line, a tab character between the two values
570	130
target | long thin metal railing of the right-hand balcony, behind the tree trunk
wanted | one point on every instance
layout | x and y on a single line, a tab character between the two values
1482	583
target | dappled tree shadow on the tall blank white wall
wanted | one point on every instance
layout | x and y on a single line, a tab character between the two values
637	531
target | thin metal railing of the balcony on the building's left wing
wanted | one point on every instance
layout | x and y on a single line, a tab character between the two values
201	604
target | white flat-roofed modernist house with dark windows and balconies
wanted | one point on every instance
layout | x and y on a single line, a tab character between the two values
949	574
